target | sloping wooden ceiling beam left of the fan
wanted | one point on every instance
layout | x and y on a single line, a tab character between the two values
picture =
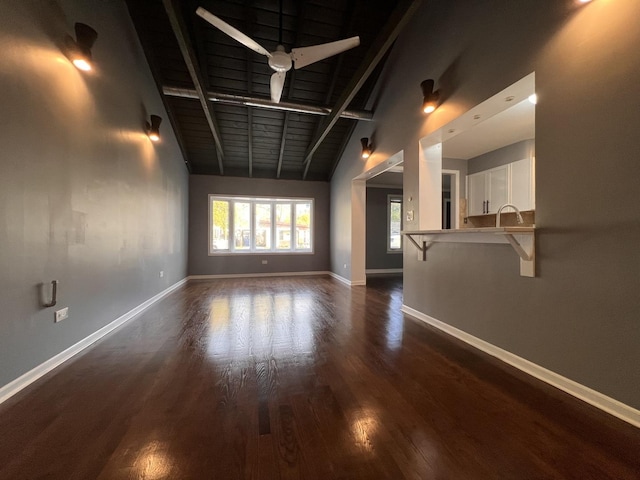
188	53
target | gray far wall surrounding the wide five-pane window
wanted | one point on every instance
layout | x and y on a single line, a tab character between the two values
200	263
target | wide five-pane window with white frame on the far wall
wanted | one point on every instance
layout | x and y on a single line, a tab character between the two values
256	225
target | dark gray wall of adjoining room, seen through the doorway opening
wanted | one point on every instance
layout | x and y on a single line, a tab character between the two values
377	256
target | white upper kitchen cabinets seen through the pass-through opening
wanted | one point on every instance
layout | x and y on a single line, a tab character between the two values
488	190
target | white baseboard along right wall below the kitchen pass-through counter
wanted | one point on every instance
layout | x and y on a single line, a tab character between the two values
586	394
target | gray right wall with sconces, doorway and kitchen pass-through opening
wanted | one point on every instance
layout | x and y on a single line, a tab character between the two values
579	316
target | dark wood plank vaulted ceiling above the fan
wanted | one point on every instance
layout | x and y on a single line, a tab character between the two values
257	141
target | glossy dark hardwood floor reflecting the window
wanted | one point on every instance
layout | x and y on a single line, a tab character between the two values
286	378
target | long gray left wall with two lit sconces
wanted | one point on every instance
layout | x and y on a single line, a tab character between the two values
85	198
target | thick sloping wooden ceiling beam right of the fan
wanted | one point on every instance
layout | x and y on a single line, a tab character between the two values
397	21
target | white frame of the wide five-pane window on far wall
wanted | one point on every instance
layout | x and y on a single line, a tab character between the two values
253	201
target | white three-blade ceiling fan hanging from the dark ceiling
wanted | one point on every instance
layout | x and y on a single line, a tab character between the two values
280	60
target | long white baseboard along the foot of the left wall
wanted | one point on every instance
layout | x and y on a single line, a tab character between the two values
34	374
